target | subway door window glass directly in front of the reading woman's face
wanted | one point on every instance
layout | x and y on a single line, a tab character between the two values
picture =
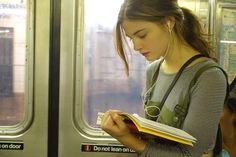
105	83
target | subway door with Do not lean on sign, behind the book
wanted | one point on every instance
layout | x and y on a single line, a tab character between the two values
92	79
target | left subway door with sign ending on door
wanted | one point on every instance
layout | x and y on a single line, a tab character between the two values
24	56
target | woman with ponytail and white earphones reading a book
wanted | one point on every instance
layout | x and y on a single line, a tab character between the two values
168	36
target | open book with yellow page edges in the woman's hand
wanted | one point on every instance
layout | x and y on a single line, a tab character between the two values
146	126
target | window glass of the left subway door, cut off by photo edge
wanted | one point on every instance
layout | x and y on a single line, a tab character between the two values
12	61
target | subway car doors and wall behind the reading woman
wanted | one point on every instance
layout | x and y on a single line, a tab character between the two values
59	69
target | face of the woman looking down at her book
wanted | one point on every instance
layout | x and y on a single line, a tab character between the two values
149	39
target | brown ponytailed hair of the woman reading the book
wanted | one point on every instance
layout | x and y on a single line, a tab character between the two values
187	26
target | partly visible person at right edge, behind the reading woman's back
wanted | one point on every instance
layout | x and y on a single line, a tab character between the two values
228	124
